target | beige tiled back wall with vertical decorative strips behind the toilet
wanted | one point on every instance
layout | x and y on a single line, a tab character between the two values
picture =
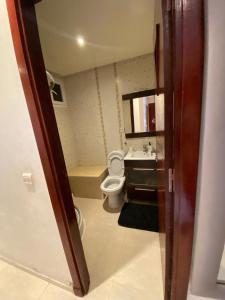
95	101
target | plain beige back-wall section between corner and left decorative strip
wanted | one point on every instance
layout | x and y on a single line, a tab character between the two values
82	97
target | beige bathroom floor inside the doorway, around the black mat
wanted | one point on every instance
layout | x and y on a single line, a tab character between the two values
128	258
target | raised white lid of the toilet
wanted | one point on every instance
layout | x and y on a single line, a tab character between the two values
116	165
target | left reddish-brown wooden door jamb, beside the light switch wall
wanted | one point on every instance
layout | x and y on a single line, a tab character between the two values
33	76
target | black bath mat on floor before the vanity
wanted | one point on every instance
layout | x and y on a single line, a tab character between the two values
139	216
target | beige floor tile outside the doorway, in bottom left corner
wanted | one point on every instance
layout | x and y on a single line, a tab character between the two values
16	284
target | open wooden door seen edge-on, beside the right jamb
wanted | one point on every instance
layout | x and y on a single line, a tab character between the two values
164	144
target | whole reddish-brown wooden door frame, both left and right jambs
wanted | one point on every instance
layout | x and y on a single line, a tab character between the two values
186	21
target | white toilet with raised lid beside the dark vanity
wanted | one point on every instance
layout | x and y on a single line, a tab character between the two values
113	184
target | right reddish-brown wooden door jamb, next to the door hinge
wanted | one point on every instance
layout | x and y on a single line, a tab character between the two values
187	19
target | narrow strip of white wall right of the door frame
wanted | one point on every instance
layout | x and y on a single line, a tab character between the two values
210	221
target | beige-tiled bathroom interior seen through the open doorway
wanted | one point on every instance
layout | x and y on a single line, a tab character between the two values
109	106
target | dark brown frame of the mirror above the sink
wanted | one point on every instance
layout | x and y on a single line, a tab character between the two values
141	94
